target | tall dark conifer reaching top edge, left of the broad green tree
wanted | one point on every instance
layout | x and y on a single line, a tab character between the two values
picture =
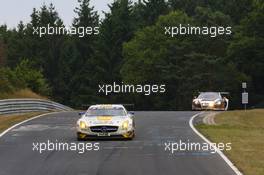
115	29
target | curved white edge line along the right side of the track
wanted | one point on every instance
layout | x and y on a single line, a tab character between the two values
231	165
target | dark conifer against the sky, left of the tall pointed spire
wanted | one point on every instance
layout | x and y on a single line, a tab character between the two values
45	51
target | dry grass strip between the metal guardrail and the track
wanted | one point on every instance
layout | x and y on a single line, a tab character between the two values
7	121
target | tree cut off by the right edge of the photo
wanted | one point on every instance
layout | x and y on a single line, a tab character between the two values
246	50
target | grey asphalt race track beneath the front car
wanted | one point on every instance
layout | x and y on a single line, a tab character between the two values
145	155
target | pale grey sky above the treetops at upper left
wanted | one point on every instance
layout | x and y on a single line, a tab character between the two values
13	11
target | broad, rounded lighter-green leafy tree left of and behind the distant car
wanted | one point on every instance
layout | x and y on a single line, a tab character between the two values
186	64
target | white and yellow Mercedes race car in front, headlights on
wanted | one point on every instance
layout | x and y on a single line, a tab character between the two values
106	121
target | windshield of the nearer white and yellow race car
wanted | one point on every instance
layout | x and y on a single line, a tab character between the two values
106	112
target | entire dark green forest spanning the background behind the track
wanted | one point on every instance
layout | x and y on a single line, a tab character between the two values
133	49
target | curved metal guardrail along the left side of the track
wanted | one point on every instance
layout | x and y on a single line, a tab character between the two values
14	106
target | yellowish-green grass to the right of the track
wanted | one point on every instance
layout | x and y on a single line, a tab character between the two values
245	130
